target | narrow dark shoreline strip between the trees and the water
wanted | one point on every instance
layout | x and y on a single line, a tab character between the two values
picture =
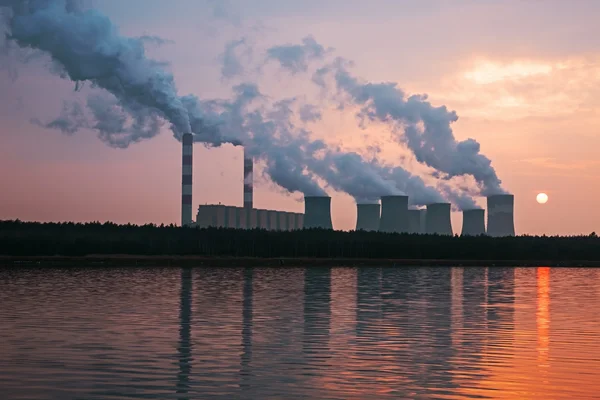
117	260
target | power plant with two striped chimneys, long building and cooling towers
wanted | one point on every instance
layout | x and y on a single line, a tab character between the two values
392	216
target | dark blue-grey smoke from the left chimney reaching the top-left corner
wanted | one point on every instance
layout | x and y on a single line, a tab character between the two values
85	46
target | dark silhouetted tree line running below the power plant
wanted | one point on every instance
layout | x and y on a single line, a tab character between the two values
76	239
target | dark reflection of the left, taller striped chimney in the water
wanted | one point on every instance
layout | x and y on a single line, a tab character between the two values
185	346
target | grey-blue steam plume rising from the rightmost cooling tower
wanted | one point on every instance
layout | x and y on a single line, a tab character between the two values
425	129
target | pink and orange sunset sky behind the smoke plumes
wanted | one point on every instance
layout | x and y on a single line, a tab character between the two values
522	76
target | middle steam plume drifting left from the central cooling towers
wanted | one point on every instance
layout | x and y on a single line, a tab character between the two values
294	160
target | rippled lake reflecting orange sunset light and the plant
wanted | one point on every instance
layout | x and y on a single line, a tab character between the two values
299	333
